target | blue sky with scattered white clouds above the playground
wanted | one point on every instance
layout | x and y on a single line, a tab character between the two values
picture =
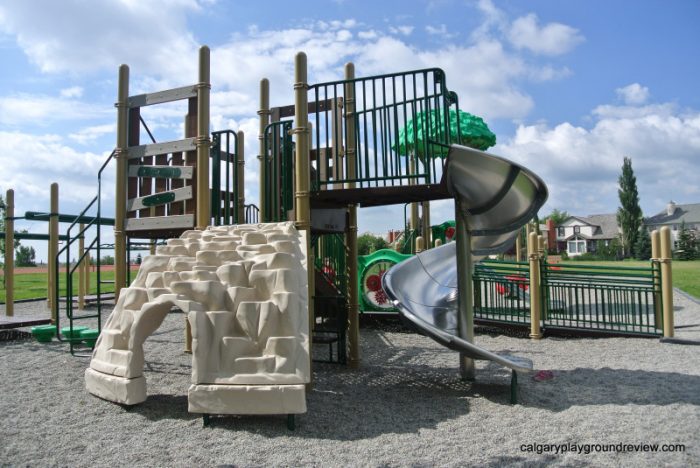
569	87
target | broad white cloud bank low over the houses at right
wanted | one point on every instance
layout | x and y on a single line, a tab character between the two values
581	165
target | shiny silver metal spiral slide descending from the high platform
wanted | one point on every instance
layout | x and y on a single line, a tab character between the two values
494	198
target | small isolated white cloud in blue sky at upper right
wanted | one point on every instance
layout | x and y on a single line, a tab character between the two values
550	39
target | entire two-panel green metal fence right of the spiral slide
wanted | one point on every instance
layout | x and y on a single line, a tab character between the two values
601	299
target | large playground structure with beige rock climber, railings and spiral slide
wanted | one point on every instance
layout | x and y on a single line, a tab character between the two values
340	151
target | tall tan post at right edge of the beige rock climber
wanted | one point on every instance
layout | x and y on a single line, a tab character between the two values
302	173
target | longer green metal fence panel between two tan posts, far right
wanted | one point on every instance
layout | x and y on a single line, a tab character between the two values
618	299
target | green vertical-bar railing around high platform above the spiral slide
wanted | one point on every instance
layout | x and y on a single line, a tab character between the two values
384	106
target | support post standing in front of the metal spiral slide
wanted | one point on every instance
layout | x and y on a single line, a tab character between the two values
465	288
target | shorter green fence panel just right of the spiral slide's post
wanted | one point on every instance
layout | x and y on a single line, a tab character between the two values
501	291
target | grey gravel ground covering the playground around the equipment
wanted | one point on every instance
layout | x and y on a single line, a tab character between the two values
405	406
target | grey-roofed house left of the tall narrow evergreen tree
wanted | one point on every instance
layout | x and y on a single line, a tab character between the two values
578	235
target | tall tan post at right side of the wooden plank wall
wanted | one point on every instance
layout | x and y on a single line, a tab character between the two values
203	142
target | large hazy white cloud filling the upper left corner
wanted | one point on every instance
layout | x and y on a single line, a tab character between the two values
77	36
